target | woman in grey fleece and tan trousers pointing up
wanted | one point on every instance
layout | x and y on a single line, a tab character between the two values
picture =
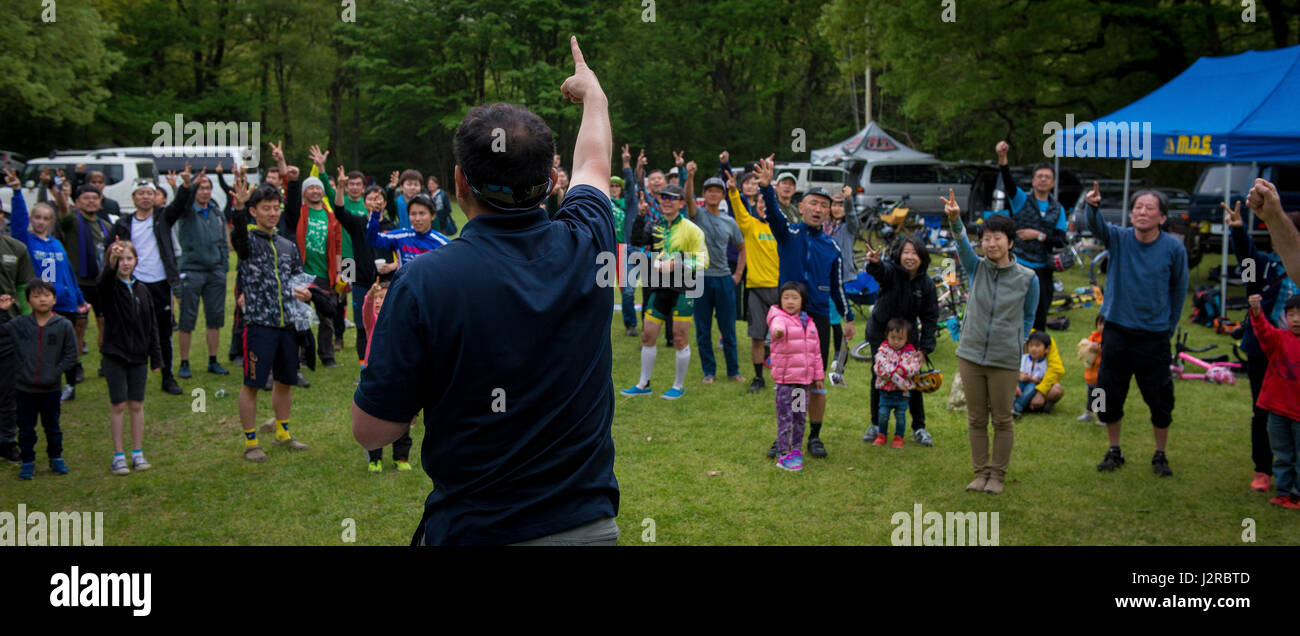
1004	298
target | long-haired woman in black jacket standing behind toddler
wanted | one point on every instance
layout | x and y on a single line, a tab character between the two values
905	293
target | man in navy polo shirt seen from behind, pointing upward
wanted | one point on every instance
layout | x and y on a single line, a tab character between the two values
518	427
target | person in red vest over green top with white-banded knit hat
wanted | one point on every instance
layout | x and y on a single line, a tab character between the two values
320	243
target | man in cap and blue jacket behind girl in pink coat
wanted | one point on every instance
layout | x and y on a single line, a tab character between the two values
812	258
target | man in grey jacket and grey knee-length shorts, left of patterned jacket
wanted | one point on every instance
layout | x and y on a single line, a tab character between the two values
205	259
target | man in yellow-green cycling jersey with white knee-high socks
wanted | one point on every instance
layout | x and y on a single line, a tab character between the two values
679	256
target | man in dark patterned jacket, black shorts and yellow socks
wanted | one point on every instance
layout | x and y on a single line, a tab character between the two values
271	345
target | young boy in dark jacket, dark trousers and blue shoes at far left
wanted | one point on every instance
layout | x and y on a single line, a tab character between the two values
46	348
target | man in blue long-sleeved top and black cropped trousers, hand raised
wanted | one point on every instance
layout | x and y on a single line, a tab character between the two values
1146	292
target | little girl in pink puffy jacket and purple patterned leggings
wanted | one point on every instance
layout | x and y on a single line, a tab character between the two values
798	367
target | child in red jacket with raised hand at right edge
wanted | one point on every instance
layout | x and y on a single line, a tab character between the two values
1281	396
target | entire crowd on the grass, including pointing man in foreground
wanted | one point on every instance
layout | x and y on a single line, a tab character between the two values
748	249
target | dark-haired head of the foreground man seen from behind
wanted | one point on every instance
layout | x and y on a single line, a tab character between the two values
506	154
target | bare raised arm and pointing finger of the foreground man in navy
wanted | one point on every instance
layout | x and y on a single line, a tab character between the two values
595	139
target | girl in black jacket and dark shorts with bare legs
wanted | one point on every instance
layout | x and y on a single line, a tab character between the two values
131	349
